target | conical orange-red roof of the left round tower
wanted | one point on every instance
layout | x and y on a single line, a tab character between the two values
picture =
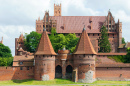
44	47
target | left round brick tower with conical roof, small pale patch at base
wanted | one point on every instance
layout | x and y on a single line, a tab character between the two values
44	59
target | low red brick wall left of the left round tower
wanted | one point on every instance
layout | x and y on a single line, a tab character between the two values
12	73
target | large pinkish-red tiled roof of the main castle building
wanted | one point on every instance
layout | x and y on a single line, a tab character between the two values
73	24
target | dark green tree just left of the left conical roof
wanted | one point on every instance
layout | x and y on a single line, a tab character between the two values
32	41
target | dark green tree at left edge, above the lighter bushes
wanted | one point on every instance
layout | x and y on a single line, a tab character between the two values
5	51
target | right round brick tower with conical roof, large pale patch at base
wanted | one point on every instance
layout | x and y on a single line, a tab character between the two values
84	59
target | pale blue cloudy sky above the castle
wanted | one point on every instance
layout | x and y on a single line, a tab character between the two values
18	16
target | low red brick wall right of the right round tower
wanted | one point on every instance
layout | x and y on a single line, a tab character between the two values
113	73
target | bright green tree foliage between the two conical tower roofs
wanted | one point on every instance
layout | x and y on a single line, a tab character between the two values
69	41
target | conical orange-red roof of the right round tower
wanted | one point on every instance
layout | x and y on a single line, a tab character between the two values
84	45
